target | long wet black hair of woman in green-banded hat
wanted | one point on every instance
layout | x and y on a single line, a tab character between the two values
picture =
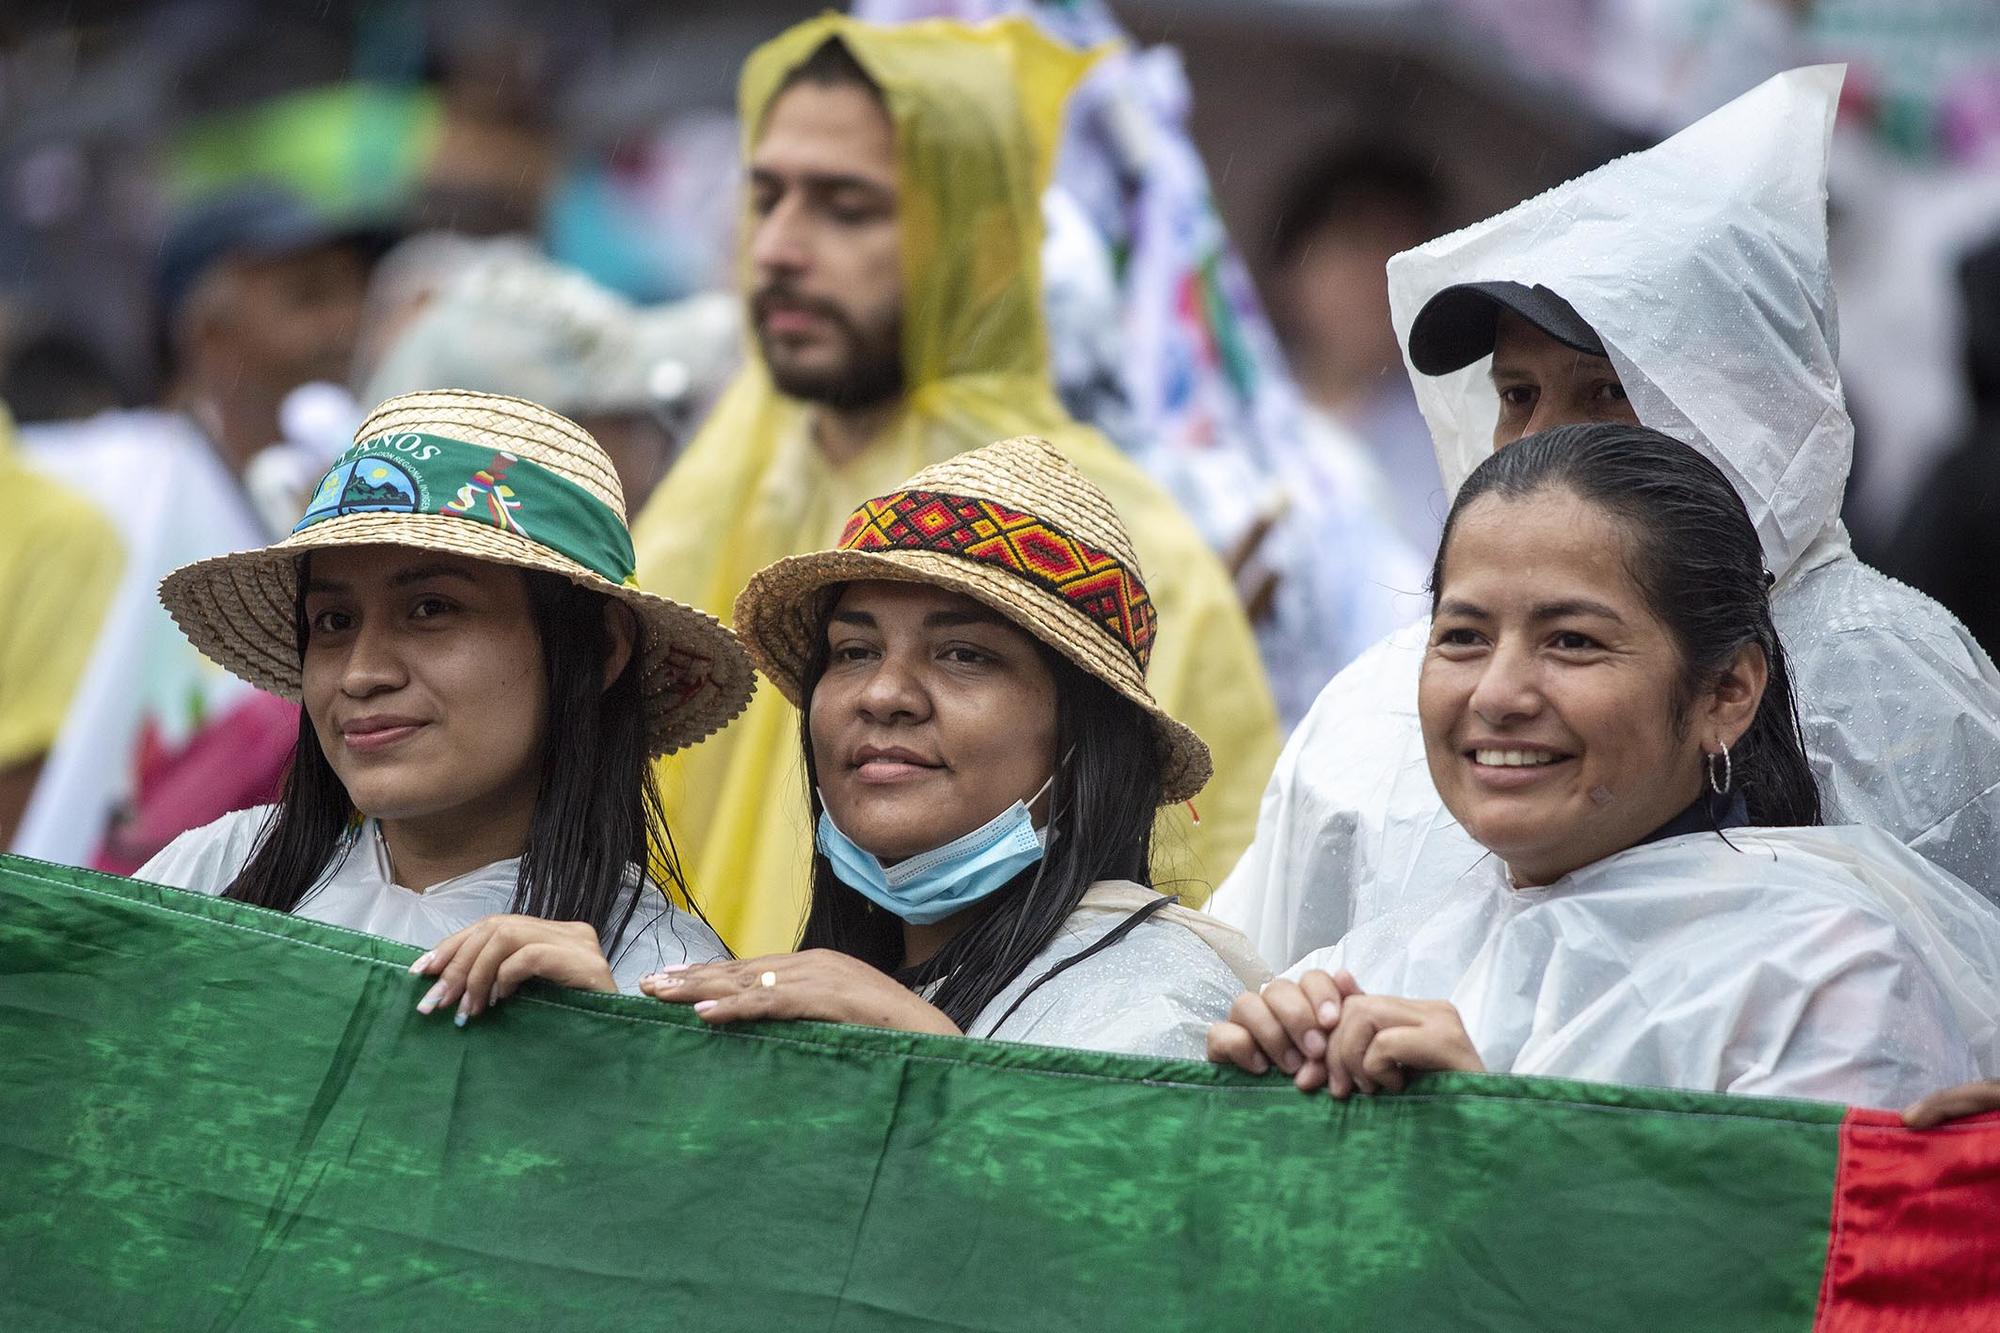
597	810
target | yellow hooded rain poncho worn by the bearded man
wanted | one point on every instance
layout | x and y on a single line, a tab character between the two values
977	115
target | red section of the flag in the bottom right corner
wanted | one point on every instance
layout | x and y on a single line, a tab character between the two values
1917	1228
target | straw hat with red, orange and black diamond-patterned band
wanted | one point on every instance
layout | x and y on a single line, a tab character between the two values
1011	525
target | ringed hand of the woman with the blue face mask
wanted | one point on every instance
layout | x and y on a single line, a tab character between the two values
817	984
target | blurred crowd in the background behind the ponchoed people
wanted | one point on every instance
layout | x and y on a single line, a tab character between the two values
227	229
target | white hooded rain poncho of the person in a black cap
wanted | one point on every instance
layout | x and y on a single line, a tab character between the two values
1701	269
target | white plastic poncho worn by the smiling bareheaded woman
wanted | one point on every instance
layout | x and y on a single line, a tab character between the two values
1829	964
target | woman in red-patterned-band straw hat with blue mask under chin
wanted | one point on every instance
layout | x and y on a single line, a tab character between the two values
985	766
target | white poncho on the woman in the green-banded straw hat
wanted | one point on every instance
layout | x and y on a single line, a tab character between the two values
363	896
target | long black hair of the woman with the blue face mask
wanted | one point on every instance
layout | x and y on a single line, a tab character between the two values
1103	804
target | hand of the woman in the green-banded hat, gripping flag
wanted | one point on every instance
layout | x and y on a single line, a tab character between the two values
489	960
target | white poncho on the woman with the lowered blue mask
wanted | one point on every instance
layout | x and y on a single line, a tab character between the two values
1155	992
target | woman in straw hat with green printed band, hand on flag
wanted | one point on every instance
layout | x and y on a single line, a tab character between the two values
485	690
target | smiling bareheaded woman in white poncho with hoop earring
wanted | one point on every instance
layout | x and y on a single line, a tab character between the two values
1607	710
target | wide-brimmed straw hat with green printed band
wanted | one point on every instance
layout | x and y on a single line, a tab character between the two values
483	477
